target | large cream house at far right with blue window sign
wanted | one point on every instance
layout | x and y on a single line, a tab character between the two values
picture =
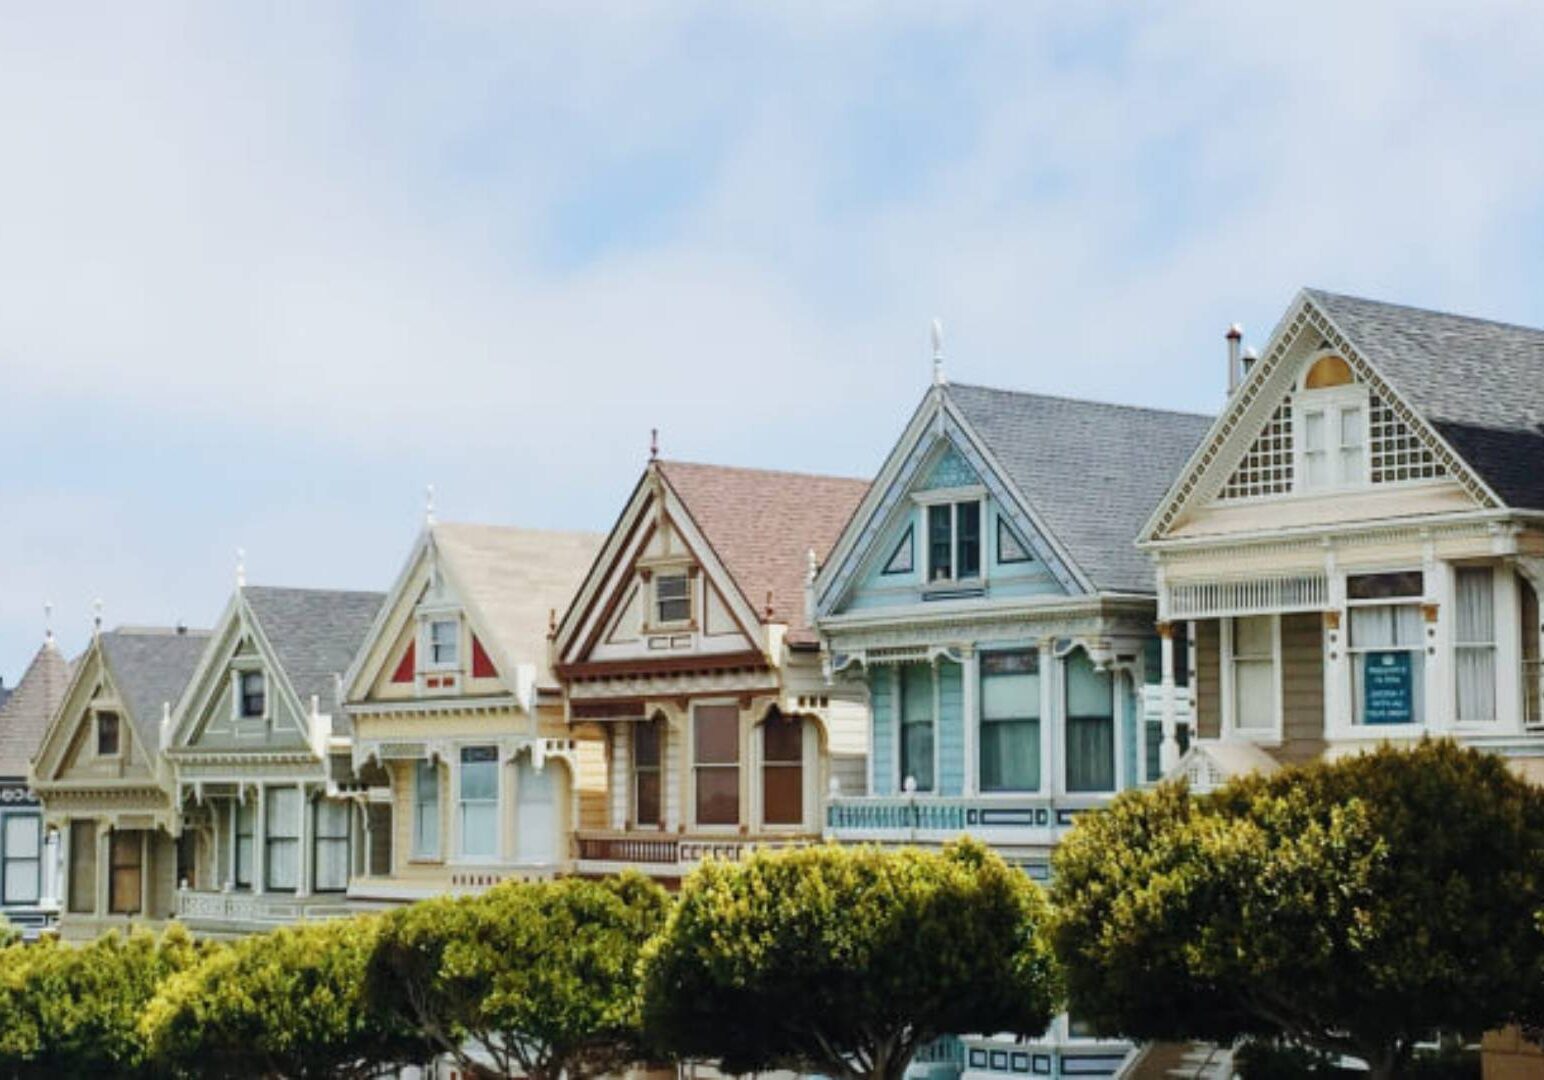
1355	554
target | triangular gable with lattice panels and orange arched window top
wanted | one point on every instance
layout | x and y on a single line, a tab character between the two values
1315	418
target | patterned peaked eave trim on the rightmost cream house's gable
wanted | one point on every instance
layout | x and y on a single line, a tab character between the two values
1261	393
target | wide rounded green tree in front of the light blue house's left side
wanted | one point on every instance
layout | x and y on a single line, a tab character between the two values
844	962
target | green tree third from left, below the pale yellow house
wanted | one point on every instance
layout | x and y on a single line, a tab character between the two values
537	979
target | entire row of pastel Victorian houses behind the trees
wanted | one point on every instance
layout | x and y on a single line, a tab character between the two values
1035	605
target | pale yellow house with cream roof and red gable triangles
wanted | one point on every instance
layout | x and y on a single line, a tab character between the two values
453	699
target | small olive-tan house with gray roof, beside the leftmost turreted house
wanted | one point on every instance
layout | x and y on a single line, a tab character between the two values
104	784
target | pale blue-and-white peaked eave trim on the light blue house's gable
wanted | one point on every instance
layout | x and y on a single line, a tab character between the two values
935	418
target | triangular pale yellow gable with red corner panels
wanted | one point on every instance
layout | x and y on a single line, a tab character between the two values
428	642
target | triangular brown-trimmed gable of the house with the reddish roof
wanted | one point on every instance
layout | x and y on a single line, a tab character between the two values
657	593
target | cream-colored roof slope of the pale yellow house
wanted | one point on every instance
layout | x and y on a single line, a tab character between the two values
513	580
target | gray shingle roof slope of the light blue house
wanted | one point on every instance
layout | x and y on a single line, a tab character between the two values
1091	472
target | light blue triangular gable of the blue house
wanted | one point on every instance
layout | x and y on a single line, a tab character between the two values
938	455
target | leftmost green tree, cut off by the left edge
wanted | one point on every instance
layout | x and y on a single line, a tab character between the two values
75	1011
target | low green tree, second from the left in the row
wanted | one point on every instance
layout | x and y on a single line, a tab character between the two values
288	1004
